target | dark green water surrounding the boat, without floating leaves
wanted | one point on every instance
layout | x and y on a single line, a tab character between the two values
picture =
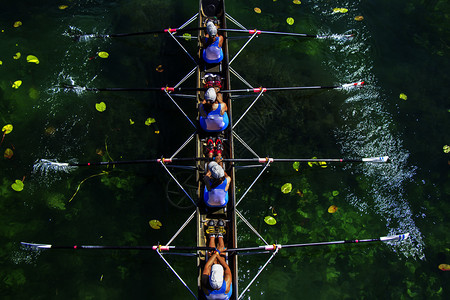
398	48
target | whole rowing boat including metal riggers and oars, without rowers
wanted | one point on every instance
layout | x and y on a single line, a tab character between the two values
216	9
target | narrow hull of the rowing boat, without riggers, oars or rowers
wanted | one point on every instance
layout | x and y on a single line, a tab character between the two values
215	9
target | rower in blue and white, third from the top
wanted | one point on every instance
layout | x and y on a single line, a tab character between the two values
217	183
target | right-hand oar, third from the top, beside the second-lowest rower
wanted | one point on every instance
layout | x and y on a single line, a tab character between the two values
378	159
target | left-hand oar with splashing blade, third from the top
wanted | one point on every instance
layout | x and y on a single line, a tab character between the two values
43	165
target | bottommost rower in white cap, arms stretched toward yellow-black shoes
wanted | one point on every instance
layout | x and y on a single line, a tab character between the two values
216	276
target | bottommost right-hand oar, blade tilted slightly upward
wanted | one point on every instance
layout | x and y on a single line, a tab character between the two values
393	238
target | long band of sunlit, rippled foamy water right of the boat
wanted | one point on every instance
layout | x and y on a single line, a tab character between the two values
370	131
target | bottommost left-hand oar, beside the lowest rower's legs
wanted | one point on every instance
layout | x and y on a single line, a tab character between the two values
35	246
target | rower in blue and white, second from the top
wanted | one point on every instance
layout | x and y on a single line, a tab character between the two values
213	112
